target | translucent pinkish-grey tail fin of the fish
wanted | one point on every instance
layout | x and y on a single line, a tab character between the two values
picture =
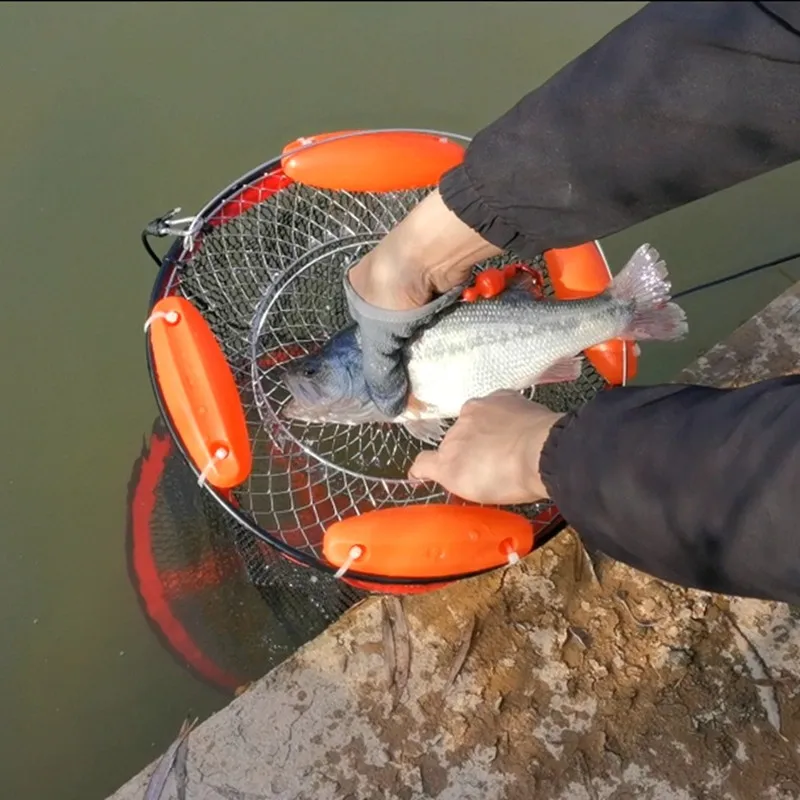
644	282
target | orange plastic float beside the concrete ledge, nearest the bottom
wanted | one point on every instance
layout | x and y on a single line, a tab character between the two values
428	541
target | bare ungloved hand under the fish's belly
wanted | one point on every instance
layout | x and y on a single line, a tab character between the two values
491	454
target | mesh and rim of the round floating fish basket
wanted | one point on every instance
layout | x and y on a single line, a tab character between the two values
263	263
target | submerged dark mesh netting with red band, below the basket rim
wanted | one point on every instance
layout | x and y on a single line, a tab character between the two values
229	624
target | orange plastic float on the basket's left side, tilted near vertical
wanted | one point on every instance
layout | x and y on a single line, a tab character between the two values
199	392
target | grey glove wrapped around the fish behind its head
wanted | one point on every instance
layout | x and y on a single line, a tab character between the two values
383	336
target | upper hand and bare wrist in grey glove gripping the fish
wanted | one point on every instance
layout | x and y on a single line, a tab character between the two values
416	270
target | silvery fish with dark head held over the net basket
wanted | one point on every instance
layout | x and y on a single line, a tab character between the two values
512	341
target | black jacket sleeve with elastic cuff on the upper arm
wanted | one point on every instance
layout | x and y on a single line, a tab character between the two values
679	101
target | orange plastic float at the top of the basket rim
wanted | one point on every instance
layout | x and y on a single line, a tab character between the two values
378	161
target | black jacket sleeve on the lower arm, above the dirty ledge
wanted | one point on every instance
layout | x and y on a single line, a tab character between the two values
695	485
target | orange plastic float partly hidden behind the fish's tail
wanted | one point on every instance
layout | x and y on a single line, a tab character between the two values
581	271
